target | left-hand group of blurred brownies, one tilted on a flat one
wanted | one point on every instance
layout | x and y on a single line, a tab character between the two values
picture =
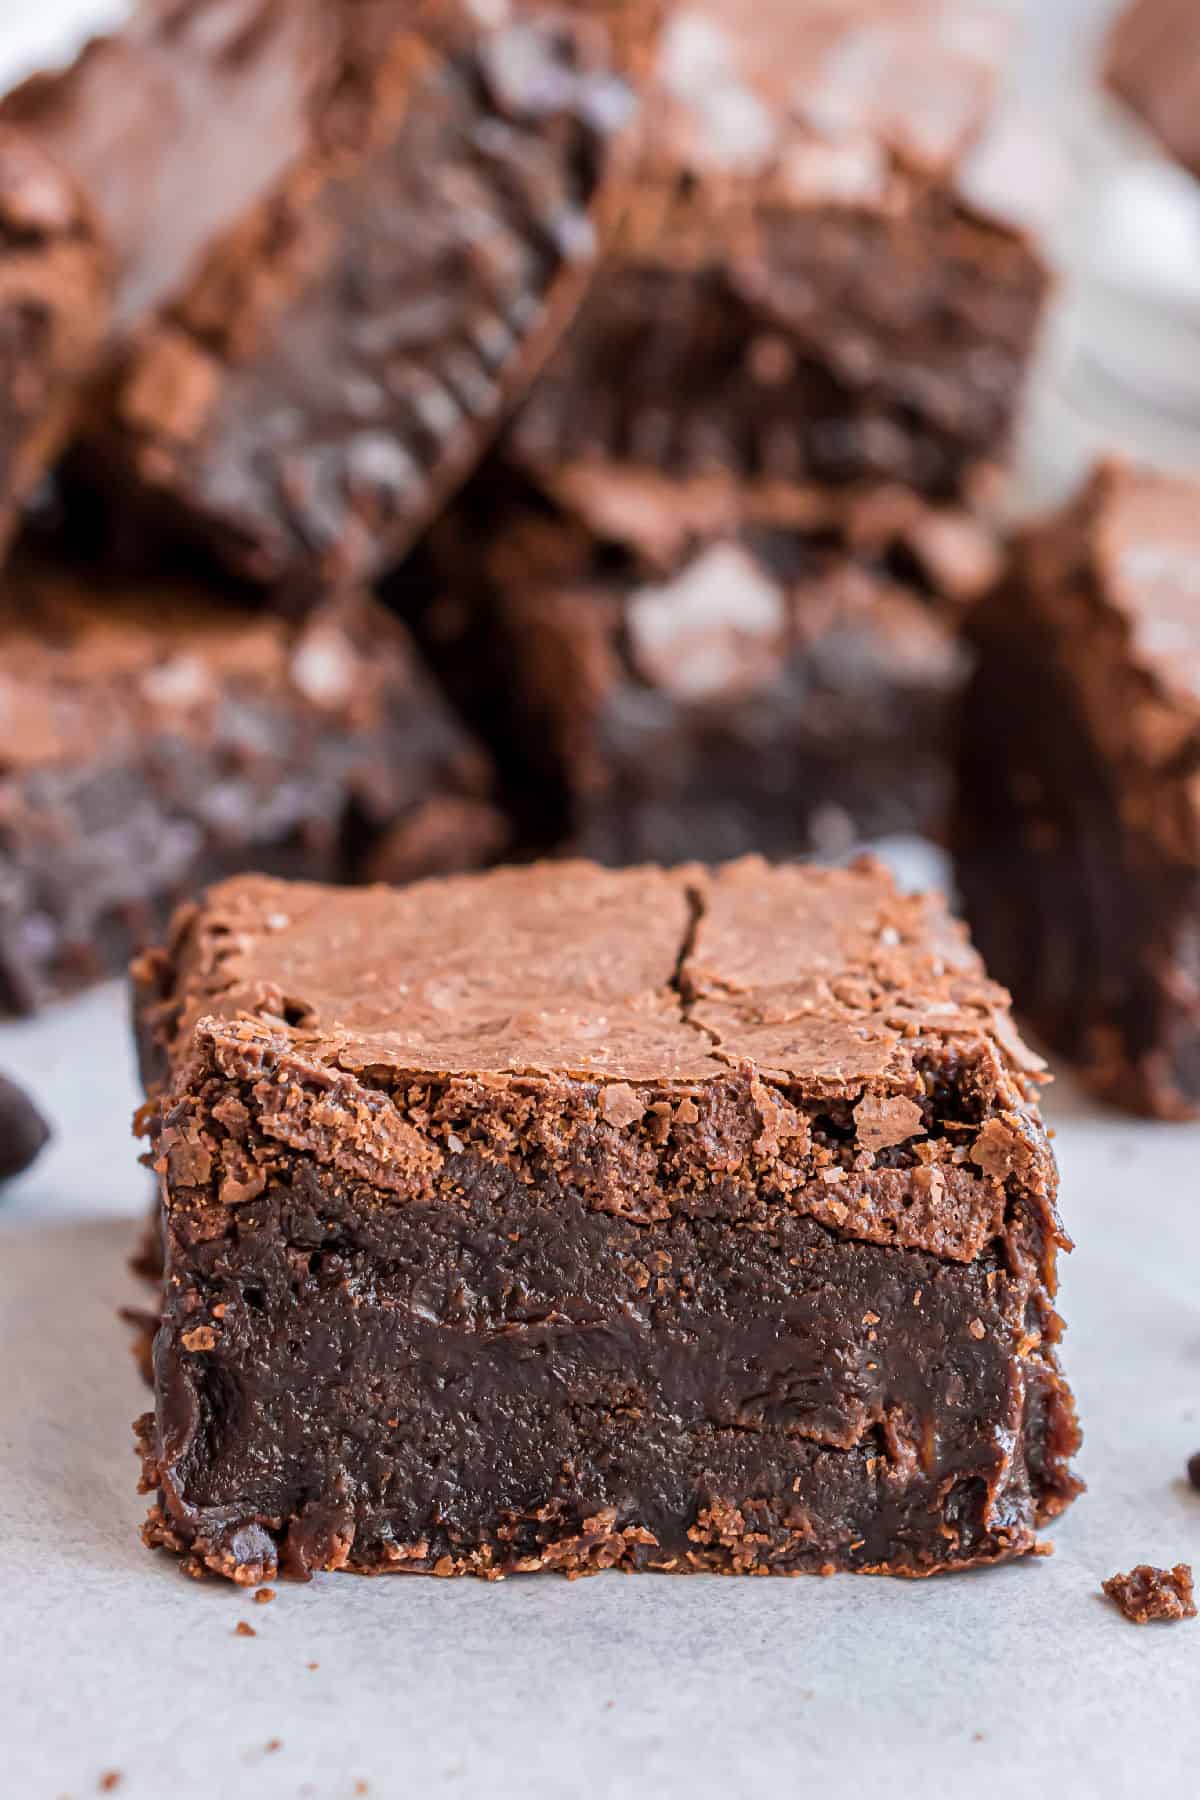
273	273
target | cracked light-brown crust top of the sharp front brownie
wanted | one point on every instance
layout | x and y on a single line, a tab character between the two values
827	978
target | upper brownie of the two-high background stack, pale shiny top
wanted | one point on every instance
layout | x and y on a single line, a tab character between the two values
801	287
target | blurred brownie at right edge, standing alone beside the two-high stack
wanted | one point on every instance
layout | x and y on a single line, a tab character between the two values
1079	820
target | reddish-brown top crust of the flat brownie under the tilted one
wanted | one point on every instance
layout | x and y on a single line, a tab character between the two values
87	667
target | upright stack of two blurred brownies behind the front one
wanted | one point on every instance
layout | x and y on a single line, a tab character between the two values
724	548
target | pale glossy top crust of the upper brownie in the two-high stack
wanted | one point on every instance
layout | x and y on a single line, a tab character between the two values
828	93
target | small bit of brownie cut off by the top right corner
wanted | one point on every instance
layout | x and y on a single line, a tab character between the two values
1152	62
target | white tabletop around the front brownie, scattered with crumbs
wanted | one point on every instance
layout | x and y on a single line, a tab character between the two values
539	1689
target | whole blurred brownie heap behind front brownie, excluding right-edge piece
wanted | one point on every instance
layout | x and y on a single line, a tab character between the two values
649	361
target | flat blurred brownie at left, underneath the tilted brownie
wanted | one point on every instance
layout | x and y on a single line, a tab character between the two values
154	737
